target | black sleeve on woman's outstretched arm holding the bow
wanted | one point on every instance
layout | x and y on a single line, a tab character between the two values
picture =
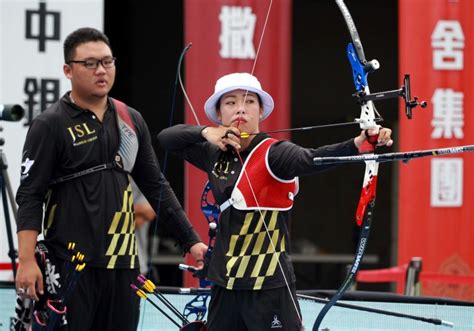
288	160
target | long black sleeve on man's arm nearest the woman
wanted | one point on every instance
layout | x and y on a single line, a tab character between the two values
153	184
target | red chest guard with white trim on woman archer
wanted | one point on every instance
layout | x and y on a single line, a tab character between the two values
271	192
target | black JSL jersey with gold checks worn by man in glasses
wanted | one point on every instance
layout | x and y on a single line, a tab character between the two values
96	210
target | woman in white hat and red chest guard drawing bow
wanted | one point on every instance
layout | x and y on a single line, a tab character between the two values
254	179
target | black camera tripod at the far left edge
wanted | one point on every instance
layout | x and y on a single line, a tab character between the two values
7	193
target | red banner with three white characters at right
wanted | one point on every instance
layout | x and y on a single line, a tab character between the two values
436	194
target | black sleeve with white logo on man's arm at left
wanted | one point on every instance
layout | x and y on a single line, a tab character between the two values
38	161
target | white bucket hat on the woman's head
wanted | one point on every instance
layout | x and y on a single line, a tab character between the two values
237	81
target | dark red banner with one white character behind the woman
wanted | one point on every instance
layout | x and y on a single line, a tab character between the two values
234	36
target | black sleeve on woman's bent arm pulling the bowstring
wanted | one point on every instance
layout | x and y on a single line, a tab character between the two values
186	142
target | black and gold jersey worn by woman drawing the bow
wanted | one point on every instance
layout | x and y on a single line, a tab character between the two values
244	257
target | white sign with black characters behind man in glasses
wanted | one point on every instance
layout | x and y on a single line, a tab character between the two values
31	60
